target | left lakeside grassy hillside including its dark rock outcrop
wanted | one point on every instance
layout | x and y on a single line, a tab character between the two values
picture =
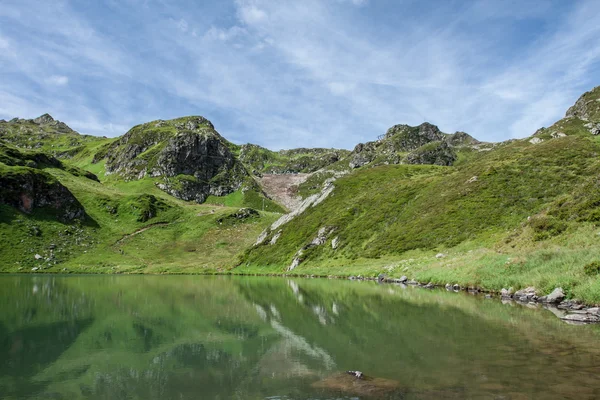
122	227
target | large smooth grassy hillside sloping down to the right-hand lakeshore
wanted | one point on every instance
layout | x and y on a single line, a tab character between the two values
523	213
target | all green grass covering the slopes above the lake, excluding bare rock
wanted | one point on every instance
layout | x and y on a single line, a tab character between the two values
516	214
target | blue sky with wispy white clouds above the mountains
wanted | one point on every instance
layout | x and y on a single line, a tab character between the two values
304	73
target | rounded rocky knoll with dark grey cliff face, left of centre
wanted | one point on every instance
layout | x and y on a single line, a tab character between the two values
191	158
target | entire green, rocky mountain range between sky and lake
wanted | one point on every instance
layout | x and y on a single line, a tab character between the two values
176	196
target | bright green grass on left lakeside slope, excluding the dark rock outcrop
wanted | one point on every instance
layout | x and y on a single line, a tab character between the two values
184	239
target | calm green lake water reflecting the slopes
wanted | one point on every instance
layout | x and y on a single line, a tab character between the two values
194	337
